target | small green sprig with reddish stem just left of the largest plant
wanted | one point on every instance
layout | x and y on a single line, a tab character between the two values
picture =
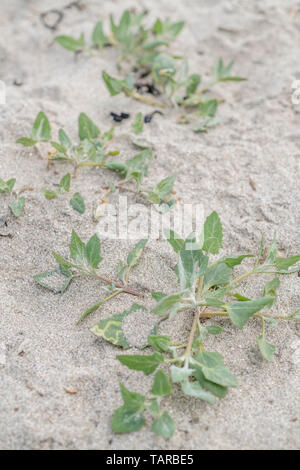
85	262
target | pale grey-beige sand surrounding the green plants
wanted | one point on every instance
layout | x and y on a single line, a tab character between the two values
42	350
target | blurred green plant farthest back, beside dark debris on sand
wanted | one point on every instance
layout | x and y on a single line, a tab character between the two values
146	52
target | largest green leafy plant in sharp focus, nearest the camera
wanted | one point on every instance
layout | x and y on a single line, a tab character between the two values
207	289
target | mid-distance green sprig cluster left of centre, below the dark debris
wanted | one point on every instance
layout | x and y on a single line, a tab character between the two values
92	151
